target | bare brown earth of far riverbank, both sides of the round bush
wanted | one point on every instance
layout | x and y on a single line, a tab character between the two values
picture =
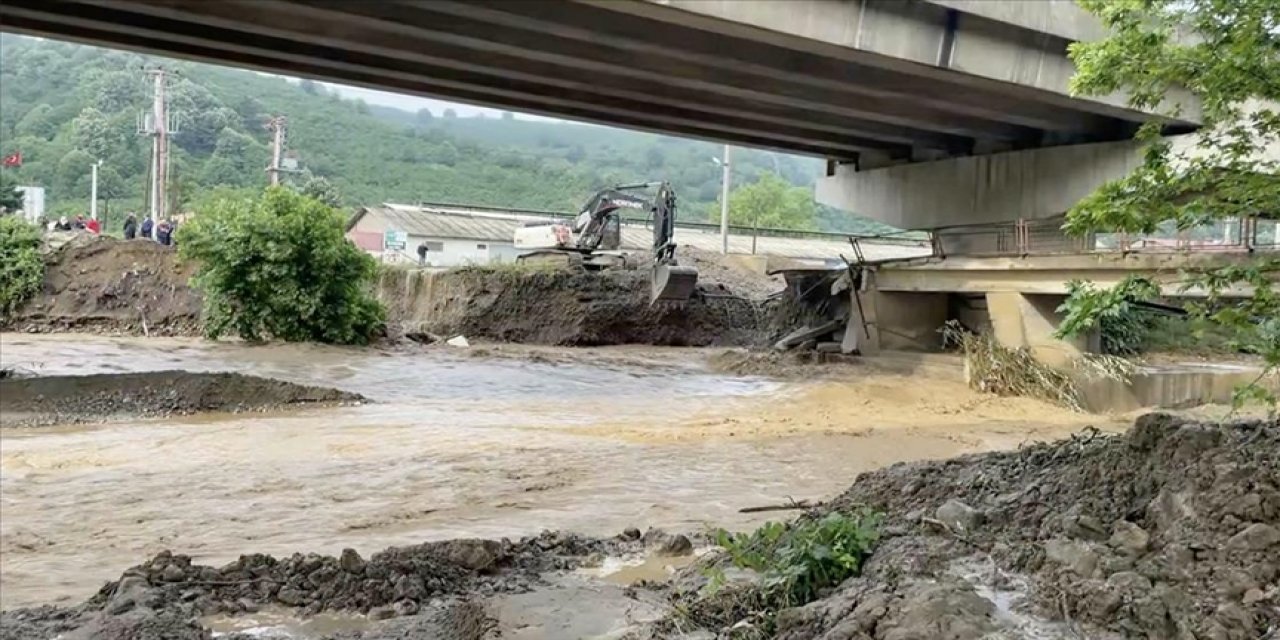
100	285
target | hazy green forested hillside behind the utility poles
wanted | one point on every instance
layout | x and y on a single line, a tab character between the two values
65	106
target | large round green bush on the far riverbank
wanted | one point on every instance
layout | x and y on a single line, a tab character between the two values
280	267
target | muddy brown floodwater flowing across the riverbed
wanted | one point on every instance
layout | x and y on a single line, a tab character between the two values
455	444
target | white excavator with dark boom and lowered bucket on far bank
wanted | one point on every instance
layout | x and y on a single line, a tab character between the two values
595	239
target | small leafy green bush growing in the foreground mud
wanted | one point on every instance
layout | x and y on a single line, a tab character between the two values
798	561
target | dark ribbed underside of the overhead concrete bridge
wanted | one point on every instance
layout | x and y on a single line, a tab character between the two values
627	63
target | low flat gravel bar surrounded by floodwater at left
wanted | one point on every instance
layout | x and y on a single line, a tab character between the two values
99	397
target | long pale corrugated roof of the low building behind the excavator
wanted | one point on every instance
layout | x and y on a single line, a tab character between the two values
495	225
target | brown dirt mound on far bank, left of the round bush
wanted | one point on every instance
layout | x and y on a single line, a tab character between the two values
102	285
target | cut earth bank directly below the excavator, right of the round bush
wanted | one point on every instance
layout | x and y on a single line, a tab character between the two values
566	309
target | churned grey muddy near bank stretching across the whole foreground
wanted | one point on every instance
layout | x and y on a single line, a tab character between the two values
1168	532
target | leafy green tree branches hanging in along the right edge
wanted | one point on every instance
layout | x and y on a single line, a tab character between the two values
1227	53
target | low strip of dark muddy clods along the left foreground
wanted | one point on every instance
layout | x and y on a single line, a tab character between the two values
162	597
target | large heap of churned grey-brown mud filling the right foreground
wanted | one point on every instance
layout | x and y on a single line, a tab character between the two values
1169	532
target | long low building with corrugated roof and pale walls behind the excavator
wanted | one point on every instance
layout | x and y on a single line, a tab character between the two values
460	235
